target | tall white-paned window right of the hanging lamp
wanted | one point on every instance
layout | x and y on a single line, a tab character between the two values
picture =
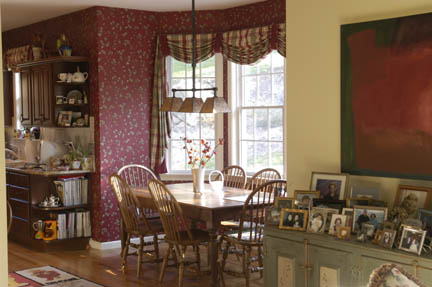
259	118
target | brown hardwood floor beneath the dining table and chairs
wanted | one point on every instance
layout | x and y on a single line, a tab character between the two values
103	267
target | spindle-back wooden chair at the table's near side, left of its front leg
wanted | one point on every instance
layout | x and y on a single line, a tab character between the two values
177	233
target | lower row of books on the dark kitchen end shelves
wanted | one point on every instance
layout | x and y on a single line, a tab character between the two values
73	224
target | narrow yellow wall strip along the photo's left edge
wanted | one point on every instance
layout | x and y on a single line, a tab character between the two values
3	230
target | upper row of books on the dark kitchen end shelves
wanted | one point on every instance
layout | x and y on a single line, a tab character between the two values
72	191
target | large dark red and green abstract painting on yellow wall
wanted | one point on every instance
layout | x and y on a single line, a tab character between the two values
386	73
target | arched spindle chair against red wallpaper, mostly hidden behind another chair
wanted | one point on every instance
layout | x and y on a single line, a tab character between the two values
137	175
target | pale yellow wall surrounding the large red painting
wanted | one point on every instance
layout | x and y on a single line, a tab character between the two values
313	83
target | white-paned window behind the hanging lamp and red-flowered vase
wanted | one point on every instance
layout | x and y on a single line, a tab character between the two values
191	125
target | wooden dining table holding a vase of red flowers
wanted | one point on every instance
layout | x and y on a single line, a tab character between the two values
208	206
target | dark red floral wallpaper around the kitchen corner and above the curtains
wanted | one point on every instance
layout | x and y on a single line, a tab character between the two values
120	44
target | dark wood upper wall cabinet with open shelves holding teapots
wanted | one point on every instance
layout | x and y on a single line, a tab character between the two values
41	91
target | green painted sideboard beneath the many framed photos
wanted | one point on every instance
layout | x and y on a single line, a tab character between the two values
297	259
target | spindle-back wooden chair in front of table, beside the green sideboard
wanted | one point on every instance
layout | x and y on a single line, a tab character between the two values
250	230
